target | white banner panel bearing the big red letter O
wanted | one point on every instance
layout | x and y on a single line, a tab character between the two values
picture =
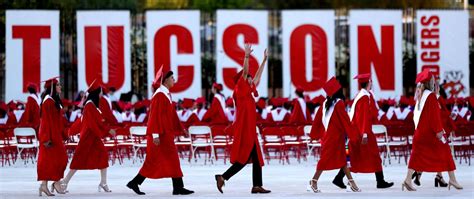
308	50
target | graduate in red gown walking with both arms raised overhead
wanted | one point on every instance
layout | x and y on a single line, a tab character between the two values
246	148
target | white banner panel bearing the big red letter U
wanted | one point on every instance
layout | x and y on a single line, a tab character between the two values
103	49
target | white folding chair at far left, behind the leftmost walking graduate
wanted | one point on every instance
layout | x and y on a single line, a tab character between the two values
26	141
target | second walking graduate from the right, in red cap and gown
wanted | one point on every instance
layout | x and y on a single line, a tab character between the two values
364	154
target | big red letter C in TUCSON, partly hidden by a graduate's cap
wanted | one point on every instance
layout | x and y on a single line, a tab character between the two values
163	55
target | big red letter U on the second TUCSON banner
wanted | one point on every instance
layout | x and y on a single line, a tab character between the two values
116	57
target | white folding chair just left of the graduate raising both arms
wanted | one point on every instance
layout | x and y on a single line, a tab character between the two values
201	137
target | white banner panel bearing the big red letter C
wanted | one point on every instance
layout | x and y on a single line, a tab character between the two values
175	43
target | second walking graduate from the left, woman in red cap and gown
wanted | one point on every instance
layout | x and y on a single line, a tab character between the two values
91	153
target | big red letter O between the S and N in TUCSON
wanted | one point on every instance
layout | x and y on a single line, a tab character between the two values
298	57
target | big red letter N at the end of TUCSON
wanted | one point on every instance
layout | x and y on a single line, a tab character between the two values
383	60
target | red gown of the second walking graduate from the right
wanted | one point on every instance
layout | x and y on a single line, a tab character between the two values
365	158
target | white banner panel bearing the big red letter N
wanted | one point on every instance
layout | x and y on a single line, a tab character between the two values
376	47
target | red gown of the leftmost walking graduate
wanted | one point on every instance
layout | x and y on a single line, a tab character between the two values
51	161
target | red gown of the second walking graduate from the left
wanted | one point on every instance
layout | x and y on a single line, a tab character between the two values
91	152
